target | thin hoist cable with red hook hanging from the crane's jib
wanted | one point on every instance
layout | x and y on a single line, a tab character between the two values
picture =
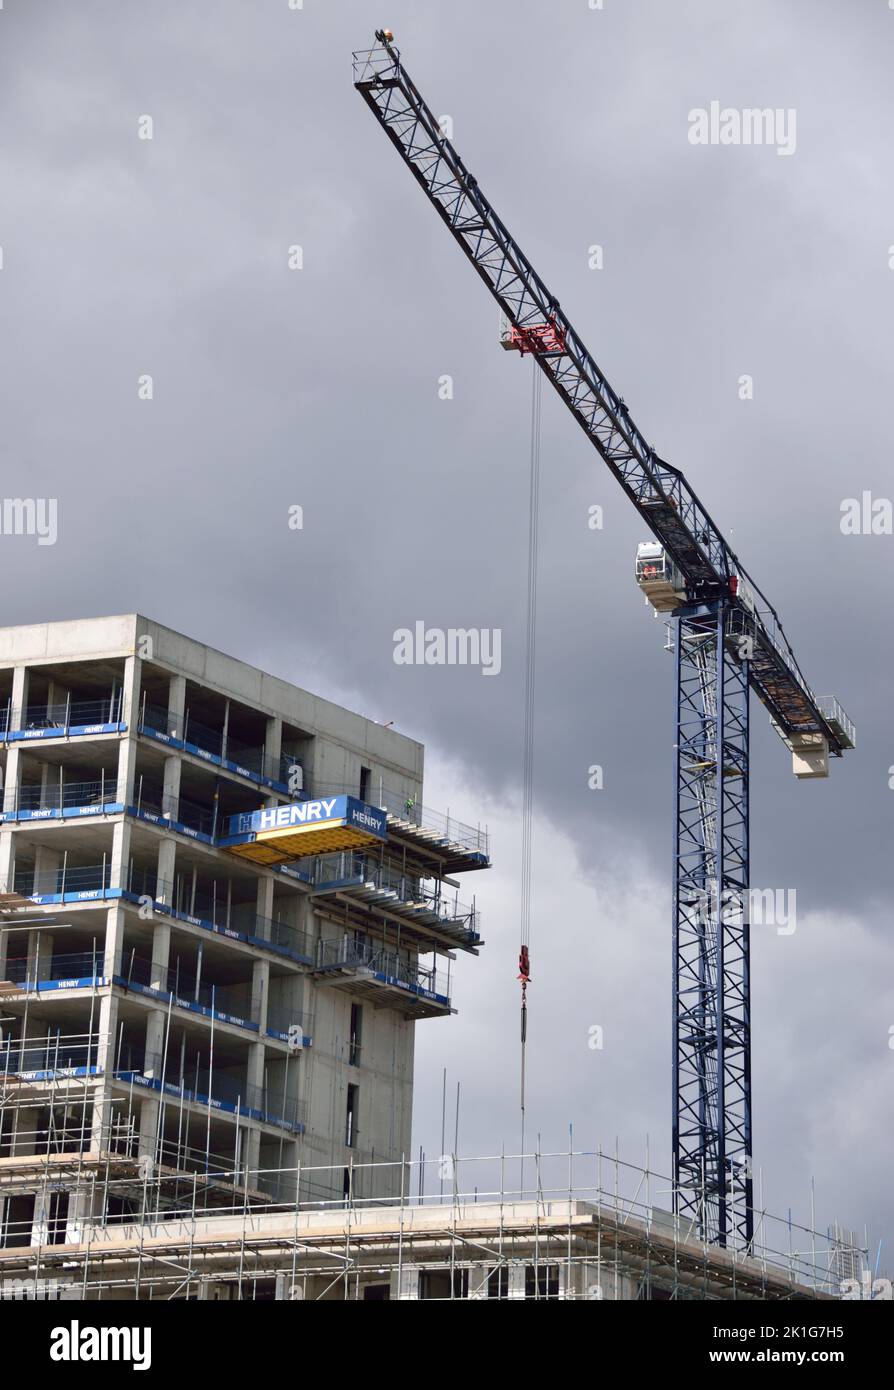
528	780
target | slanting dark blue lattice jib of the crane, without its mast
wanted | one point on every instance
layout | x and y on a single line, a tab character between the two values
663	497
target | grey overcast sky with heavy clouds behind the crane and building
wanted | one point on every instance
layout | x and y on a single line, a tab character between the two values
275	387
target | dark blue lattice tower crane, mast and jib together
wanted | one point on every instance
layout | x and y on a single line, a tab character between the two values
729	641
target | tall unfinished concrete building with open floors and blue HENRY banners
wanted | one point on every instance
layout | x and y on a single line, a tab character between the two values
226	907
